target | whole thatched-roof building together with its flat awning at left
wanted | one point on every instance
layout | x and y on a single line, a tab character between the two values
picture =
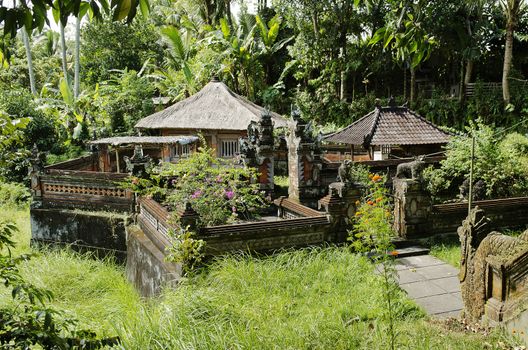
215	112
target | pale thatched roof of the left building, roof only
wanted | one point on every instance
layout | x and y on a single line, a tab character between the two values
213	107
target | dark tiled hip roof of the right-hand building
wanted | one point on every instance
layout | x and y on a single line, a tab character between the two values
390	126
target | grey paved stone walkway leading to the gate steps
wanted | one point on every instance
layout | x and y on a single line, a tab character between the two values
432	284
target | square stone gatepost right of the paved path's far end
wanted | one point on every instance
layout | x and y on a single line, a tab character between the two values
412	208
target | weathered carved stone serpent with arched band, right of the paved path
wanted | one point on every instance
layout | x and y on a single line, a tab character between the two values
477	244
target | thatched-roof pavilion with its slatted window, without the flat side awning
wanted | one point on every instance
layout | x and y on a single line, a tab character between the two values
216	112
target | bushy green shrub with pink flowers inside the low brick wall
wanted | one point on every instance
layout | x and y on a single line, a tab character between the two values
218	190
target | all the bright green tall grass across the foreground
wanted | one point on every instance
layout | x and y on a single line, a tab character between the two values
324	298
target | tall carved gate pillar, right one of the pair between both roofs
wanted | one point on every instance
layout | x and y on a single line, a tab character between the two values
304	163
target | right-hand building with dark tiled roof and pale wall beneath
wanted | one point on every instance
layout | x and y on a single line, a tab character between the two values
389	131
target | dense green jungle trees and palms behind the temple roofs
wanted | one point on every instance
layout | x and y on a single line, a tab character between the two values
331	58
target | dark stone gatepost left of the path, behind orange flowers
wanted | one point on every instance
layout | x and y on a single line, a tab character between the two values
340	205
